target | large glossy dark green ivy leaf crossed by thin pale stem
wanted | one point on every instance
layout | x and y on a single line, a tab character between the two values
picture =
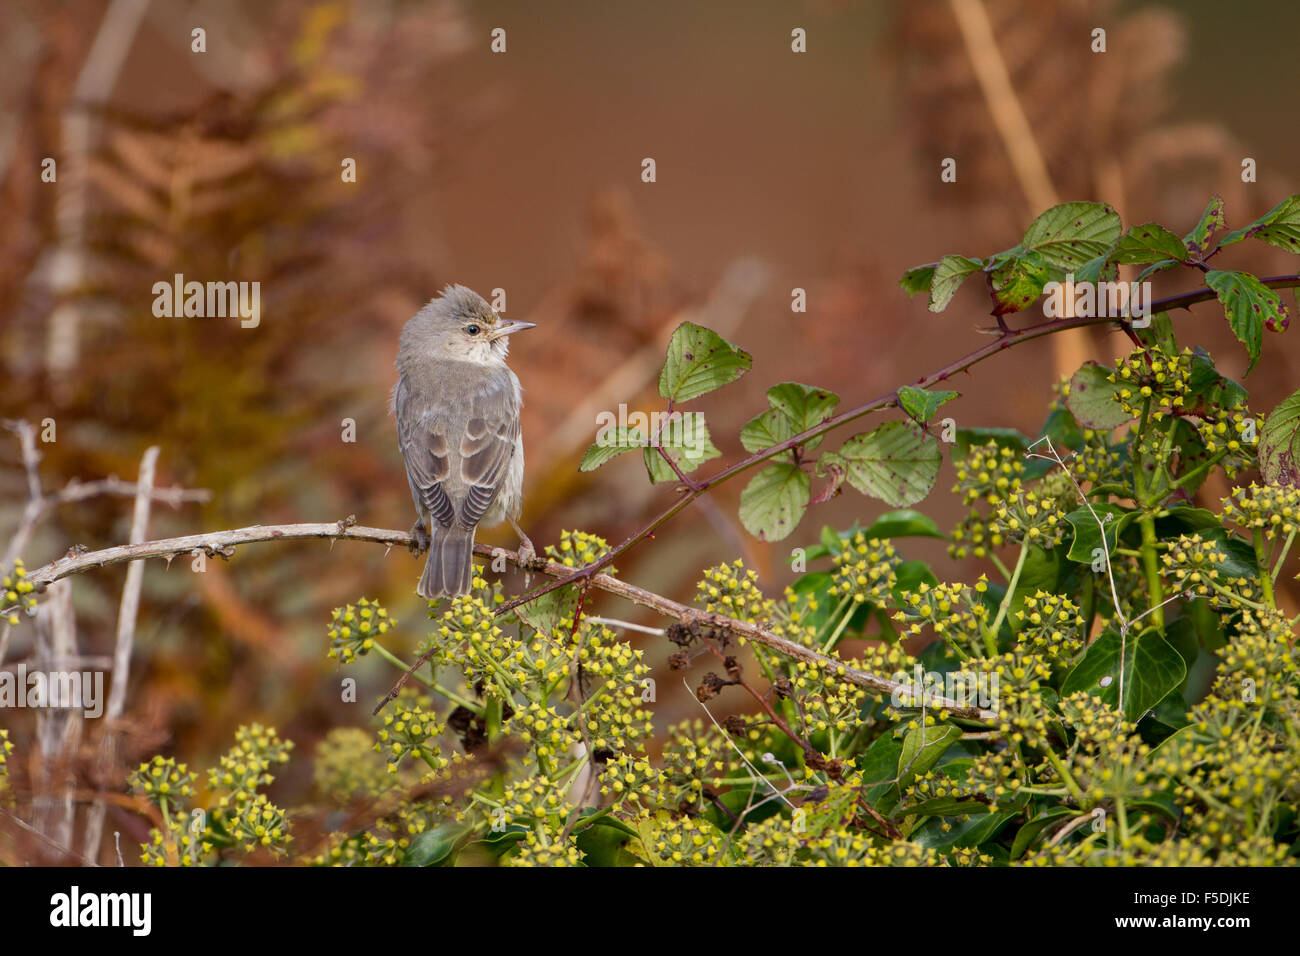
1152	669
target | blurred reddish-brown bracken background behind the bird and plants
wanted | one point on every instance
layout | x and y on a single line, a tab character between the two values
522	171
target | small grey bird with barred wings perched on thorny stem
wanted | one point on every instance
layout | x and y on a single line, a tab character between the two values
457	405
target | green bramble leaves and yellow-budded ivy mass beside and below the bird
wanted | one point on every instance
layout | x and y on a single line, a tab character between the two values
1052	717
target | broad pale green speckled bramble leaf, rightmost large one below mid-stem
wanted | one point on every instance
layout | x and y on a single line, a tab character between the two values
896	462
